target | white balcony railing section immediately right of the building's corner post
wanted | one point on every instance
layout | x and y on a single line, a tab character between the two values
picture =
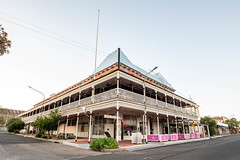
125	94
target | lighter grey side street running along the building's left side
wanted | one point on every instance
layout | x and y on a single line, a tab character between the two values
13	147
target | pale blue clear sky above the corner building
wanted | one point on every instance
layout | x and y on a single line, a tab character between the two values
195	45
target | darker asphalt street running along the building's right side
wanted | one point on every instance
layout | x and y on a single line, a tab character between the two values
225	148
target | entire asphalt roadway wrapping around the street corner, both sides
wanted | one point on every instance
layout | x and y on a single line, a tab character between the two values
13	147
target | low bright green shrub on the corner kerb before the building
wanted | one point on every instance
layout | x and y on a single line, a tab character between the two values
101	143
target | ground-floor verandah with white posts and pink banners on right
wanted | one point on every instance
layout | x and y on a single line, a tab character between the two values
130	122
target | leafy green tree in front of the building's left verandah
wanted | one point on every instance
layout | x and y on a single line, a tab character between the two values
47	123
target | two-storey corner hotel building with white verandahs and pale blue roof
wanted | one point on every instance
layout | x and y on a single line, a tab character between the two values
121	99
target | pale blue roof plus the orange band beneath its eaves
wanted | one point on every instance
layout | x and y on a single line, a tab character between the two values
114	61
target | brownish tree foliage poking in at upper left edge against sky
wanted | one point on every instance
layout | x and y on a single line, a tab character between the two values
5	44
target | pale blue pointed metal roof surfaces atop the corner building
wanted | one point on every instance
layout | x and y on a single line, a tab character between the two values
112	58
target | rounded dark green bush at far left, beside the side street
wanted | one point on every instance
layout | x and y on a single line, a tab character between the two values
15	125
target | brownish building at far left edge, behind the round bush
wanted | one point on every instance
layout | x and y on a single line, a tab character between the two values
6	114
